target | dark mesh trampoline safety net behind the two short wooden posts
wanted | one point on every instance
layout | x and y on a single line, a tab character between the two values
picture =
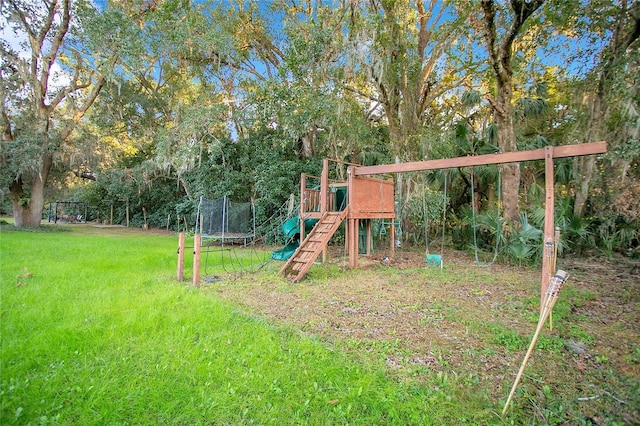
225	220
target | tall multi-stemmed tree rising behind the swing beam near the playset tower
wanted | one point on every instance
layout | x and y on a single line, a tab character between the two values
400	60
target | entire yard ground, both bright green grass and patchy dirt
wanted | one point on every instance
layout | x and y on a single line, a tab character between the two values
96	330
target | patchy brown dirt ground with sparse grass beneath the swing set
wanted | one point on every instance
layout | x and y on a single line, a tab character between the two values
472	321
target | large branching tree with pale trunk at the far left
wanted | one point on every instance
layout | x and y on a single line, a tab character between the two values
45	94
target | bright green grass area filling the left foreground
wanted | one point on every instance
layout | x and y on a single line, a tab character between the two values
95	330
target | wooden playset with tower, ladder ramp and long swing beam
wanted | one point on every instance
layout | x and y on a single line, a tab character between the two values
371	198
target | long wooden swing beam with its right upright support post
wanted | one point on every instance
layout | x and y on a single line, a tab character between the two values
547	154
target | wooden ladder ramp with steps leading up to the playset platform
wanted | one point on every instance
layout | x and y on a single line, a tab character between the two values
297	266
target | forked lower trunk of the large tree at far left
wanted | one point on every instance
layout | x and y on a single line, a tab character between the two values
28	205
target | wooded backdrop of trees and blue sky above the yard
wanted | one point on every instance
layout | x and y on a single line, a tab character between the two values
154	103
